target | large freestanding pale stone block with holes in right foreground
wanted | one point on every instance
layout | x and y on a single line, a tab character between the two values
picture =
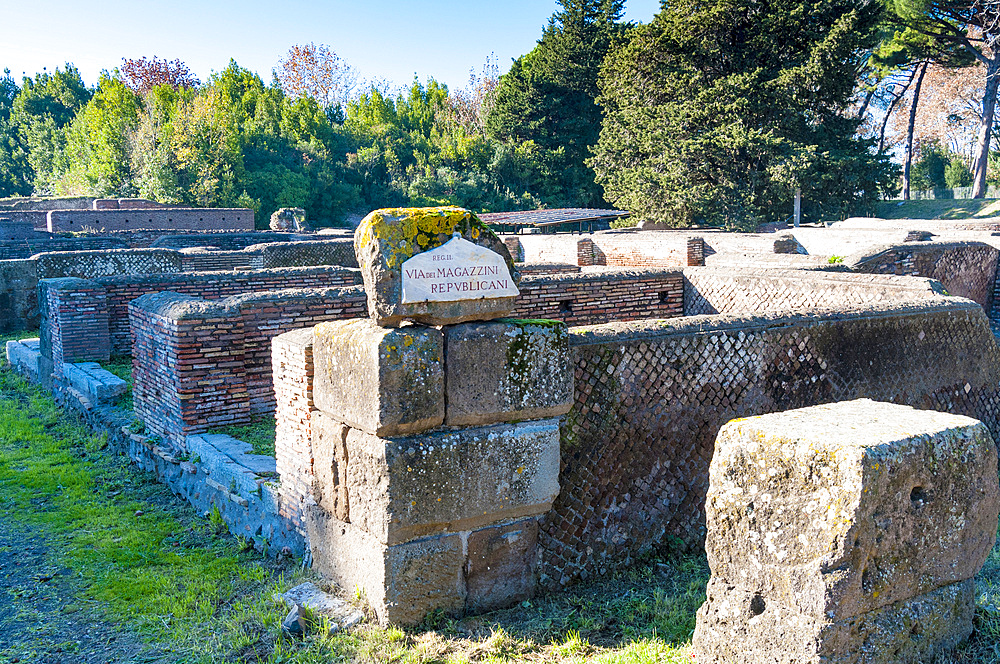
825	524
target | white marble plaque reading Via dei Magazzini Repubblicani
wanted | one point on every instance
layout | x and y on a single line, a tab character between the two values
457	270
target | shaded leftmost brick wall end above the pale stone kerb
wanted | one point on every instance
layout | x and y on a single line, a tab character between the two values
74	321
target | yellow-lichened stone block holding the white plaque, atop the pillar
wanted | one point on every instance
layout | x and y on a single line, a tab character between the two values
387	238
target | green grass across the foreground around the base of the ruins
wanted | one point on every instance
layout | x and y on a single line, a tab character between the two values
150	566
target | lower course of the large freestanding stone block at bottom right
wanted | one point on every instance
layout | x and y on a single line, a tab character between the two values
736	626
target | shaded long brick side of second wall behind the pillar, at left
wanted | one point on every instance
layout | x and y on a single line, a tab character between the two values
210	286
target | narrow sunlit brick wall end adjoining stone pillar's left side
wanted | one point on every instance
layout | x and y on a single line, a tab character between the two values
292	361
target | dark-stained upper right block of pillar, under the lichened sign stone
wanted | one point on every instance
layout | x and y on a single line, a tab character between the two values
507	370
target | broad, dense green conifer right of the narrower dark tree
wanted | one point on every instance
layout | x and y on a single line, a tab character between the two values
716	111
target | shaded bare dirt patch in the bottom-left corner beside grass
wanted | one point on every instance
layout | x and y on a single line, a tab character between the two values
41	618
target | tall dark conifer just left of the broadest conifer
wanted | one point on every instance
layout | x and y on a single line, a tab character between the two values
548	96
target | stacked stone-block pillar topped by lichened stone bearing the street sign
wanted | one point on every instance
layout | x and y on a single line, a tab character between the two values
434	449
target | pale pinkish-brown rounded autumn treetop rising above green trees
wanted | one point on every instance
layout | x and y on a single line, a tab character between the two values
317	72
